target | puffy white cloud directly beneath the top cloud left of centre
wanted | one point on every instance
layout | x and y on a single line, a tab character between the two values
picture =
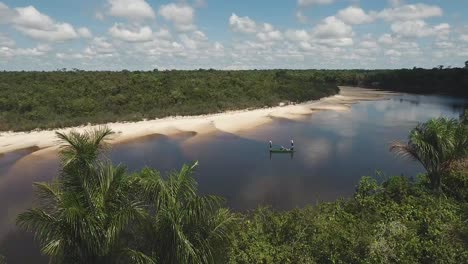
131	34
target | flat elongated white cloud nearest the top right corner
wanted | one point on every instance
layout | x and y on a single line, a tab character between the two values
410	12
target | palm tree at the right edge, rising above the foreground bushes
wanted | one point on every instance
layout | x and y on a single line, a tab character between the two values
436	144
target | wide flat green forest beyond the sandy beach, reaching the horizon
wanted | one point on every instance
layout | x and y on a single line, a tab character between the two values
30	100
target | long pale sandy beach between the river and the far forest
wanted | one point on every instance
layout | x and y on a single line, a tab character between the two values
231	122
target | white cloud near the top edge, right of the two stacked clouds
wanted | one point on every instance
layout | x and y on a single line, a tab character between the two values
180	15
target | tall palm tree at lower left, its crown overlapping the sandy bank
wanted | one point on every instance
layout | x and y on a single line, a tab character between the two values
81	216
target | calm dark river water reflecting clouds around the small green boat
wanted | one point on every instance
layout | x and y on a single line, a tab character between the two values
334	149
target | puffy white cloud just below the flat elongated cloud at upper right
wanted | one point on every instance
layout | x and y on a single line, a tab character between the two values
419	28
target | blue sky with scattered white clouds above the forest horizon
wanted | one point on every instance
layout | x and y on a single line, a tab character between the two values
241	34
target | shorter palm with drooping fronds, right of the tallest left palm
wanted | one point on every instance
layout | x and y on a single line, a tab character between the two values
186	227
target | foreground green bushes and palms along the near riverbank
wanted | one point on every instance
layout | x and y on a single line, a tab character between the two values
95	212
